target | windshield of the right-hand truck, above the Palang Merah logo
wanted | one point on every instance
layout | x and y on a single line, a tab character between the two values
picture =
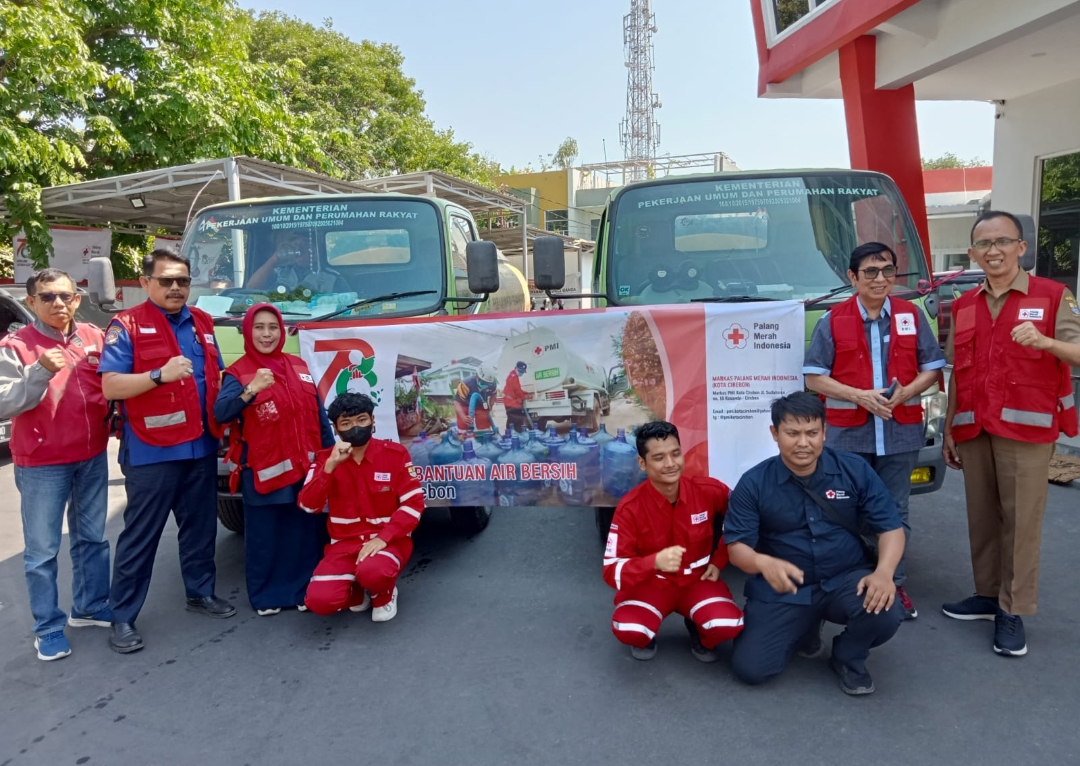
781	237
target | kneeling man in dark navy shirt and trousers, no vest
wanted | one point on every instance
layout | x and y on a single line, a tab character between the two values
807	567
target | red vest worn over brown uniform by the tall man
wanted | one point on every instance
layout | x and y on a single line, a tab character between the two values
1008	389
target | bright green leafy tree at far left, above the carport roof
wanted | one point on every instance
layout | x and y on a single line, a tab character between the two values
96	88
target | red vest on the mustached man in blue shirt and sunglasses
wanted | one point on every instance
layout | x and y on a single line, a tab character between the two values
170	414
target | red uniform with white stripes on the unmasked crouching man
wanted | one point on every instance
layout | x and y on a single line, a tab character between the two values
645	523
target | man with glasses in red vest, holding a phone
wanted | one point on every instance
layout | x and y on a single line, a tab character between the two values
858	351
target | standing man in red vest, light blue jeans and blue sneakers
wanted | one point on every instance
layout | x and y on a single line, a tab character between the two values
49	386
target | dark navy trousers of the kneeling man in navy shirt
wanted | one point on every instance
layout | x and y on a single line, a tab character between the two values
773	630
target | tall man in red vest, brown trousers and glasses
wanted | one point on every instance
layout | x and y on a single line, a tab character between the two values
1011	345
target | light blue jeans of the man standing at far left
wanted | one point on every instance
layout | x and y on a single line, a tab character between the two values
47	491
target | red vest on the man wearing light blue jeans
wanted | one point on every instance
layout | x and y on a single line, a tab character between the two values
69	426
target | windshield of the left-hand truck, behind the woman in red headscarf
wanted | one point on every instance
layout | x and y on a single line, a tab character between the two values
316	257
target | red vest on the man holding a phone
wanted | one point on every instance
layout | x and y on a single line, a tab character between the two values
854	367
